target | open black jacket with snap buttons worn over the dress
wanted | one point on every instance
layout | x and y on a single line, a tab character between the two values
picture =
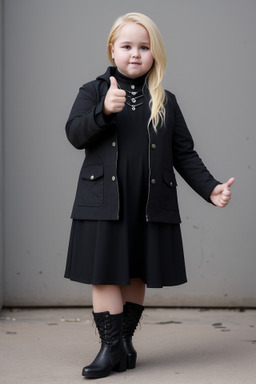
97	196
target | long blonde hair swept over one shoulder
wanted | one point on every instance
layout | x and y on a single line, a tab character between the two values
155	75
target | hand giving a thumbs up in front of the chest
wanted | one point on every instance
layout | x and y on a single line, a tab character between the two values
115	98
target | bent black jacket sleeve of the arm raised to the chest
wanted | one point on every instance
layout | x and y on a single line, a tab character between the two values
87	123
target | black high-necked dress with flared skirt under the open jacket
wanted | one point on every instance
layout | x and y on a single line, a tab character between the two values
113	252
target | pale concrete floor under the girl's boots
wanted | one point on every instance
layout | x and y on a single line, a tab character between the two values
175	346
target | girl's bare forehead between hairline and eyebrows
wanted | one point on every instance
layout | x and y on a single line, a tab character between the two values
133	32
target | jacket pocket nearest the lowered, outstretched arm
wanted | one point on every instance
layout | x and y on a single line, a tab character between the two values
169	191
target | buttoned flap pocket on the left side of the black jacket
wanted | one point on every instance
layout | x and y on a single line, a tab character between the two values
91	186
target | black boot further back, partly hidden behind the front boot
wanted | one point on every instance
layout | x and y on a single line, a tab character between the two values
132	315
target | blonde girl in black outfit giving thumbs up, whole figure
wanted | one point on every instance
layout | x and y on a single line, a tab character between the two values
126	224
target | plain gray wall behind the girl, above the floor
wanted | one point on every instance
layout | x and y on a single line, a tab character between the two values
54	46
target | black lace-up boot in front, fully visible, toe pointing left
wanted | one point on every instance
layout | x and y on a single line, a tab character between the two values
112	355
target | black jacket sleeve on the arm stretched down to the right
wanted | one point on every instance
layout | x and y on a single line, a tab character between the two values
186	159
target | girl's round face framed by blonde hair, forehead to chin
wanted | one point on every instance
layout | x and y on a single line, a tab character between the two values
131	51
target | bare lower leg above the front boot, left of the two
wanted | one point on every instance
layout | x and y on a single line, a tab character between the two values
107	298
